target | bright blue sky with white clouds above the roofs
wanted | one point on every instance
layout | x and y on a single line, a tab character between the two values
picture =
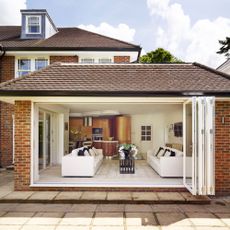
189	29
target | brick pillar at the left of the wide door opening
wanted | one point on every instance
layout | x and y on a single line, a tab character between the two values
22	144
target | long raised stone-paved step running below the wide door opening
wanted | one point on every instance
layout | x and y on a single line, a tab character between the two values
104	197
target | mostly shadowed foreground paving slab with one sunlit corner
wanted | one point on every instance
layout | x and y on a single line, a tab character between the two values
173	219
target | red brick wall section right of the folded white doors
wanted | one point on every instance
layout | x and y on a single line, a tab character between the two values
222	148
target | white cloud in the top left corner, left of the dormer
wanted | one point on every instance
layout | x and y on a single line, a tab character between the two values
10	11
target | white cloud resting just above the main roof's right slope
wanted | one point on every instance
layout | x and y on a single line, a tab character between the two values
122	31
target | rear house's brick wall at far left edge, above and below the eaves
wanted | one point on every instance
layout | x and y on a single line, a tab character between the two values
6	112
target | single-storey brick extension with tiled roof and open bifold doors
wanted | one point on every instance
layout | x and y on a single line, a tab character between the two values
183	109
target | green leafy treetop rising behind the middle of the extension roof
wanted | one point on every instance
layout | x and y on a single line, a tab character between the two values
159	56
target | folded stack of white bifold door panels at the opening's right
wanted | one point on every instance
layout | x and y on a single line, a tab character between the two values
199	145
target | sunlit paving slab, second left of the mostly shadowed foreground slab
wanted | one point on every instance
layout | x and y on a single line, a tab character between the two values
109	219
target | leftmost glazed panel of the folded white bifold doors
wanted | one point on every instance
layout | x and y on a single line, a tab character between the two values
190	145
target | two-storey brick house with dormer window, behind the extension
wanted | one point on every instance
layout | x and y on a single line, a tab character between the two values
38	43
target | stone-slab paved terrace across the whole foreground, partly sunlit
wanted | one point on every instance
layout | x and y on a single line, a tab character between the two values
97	216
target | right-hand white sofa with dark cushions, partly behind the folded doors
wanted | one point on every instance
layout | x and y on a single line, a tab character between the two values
169	166
